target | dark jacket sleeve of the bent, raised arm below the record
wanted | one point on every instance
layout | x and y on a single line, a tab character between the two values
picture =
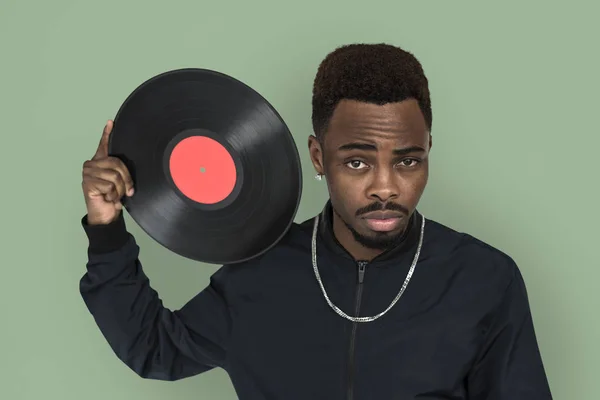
153	341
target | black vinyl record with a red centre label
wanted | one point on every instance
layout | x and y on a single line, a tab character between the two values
216	171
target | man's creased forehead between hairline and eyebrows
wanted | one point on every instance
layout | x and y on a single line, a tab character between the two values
401	122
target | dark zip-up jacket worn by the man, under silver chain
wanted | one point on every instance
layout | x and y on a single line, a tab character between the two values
461	330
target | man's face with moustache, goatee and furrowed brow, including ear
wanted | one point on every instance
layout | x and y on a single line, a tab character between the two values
375	160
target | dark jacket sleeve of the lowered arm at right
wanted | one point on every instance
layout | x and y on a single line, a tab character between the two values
510	365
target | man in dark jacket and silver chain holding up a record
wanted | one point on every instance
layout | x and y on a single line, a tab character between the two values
392	306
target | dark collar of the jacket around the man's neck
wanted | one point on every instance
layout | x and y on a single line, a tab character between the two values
409	238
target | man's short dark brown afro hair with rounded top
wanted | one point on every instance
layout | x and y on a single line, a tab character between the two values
373	73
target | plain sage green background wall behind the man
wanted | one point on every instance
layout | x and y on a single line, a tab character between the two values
515	101
